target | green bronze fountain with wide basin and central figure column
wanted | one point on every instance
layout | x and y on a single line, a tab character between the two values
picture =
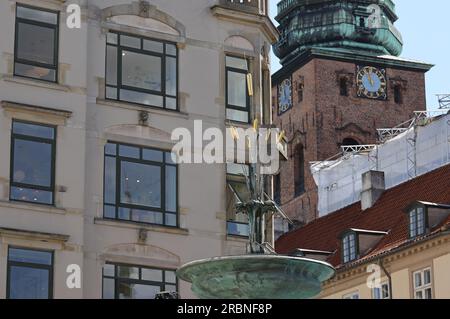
261	274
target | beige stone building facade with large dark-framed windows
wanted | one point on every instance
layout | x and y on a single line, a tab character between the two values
87	178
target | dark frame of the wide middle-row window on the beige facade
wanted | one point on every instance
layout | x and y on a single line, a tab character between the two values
117	205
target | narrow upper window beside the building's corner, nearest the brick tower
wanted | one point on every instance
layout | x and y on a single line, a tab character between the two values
237	95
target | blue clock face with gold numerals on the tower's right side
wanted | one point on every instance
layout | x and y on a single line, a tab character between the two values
371	82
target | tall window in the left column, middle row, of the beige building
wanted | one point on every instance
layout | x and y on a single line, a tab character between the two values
32	163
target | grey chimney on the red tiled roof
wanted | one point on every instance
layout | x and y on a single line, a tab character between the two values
373	186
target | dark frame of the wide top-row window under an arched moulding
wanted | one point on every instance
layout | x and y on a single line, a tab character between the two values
164	55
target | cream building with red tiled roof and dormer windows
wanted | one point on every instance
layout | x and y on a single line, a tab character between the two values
393	244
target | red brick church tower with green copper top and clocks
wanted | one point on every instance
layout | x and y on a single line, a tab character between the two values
341	79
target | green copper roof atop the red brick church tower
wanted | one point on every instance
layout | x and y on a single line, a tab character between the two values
353	25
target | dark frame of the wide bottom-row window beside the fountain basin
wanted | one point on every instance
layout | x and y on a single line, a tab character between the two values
118	279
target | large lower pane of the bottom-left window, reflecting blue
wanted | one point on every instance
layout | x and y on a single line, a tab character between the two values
28	283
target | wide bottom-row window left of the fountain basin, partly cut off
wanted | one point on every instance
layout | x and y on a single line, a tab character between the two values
136	282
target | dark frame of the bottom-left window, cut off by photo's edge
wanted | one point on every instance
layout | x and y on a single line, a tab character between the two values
50	269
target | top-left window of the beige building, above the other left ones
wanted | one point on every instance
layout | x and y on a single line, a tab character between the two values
36	43
